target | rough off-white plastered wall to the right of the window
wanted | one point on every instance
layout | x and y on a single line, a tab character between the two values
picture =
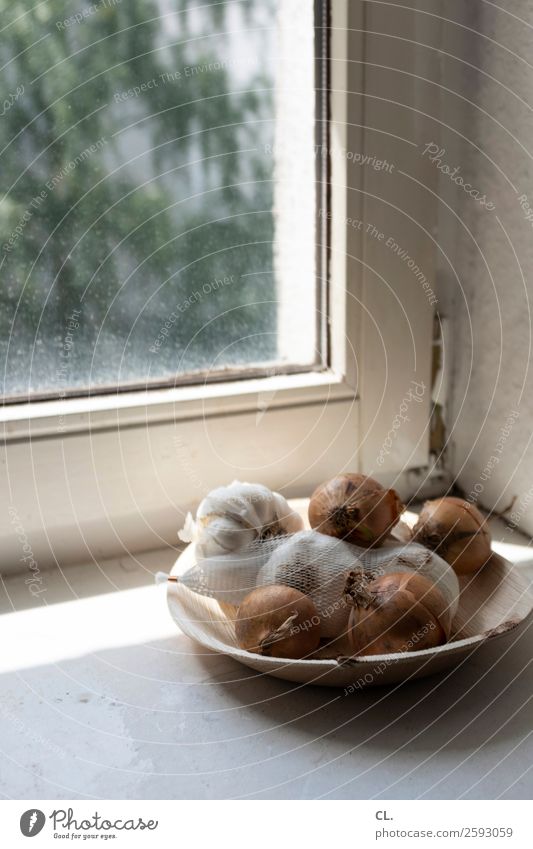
486	284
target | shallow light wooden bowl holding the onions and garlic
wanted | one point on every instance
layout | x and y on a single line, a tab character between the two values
495	604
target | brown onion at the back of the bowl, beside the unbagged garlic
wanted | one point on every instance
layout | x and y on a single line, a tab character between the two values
354	508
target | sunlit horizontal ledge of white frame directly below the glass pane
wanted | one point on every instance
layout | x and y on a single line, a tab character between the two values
99	412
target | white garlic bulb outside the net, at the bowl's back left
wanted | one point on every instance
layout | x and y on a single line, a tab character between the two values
233	517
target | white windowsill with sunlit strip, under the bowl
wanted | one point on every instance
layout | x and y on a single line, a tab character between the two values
134	709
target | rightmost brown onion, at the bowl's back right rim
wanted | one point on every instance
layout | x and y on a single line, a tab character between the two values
456	530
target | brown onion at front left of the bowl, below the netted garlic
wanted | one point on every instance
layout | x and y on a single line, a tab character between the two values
278	621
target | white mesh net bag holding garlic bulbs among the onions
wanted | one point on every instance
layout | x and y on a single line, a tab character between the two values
317	565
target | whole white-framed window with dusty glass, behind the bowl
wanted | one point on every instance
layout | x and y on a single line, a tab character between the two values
287	391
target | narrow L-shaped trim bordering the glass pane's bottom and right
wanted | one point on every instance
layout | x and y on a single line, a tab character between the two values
76	409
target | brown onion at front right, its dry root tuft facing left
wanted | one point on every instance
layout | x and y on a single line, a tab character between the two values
398	612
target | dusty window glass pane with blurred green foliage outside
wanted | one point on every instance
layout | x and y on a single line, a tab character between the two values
157	190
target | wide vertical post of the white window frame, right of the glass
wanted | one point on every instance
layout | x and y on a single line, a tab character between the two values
389	231
